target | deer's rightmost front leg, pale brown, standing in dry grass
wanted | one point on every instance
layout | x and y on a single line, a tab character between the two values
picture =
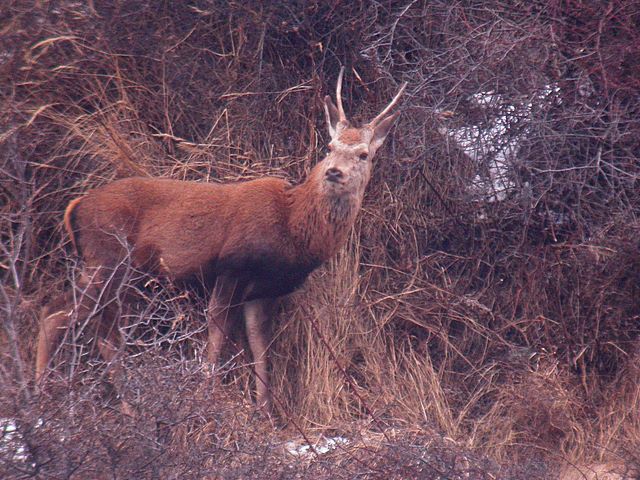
256	316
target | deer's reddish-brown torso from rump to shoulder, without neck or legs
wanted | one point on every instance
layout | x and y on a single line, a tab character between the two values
187	229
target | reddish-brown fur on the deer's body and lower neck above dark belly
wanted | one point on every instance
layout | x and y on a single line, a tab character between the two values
160	219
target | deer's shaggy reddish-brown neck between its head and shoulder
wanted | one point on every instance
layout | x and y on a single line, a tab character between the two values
319	220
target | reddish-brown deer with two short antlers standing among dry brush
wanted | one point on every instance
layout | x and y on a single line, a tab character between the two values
248	242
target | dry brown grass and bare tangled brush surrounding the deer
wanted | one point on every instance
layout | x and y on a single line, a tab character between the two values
482	323
